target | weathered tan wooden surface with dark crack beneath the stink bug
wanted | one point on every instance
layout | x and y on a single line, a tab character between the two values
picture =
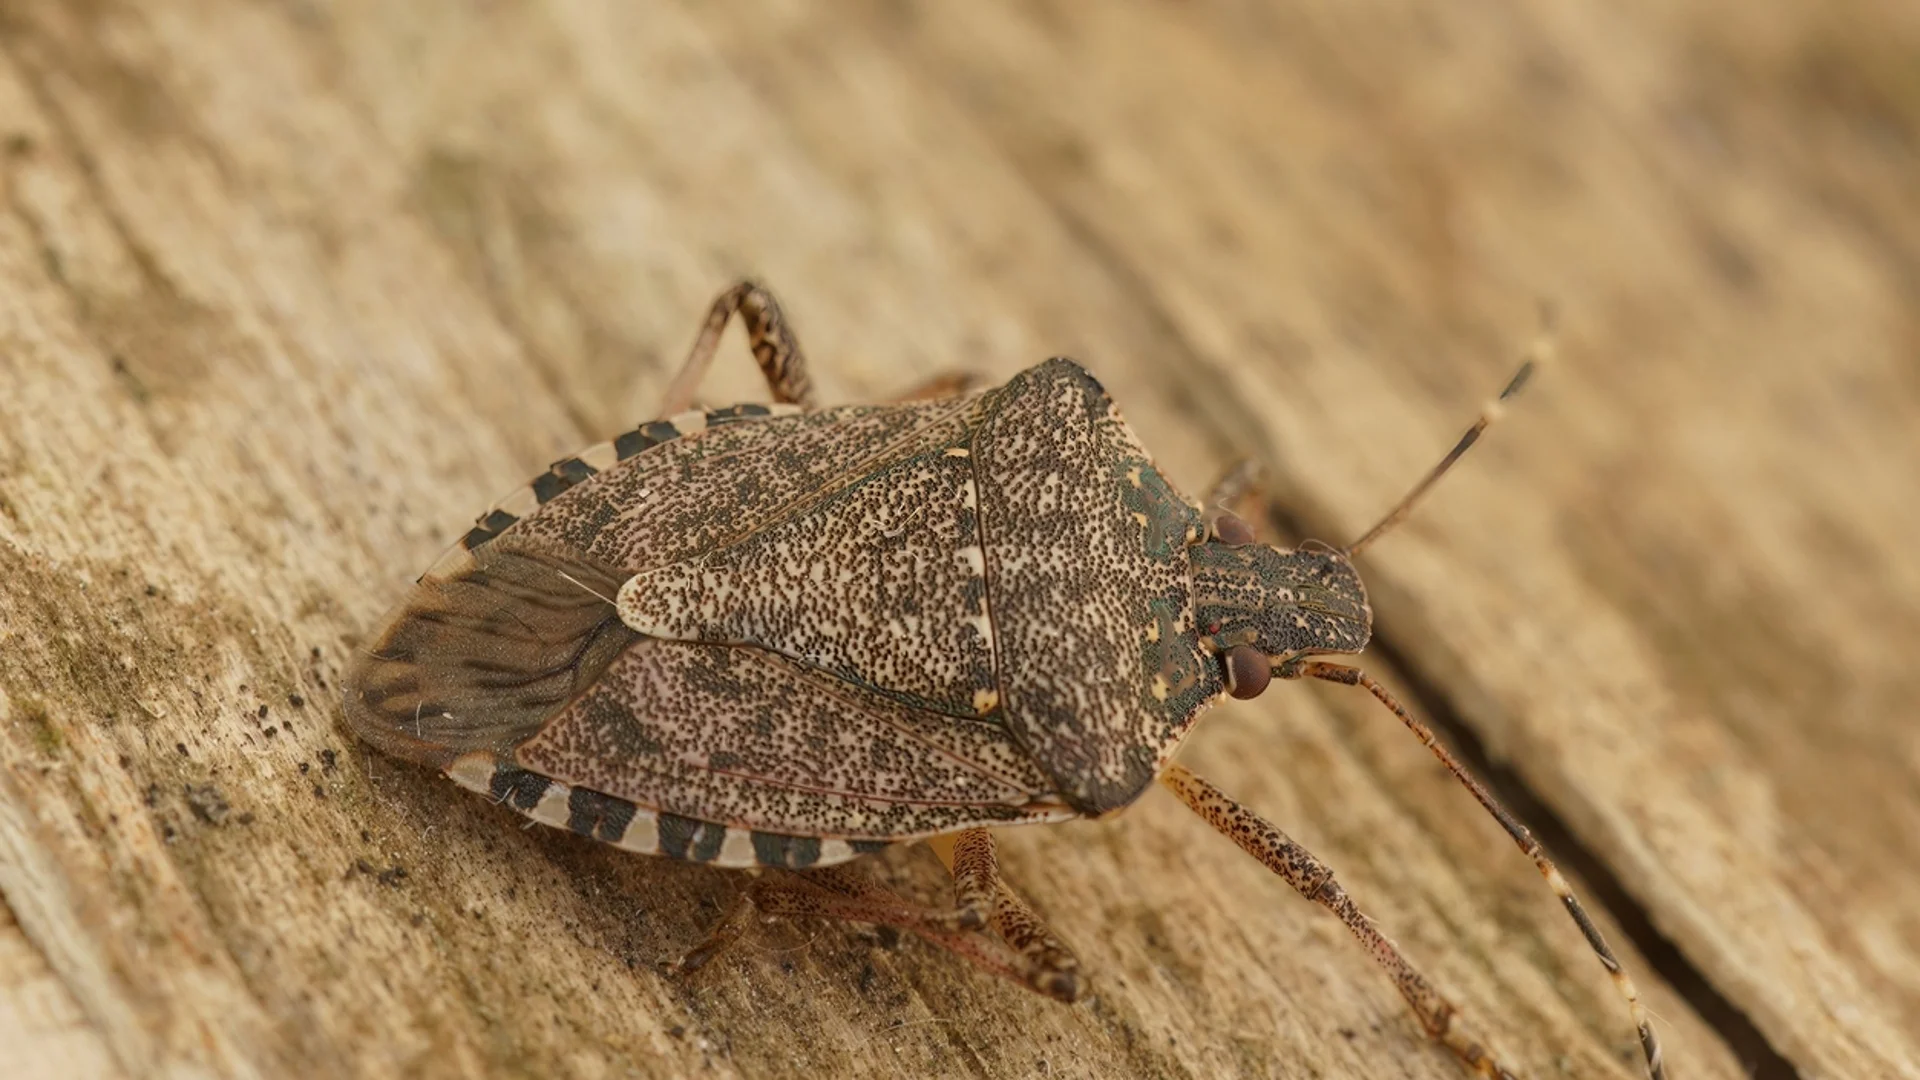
291	291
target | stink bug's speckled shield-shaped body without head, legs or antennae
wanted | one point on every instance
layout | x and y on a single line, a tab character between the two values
767	637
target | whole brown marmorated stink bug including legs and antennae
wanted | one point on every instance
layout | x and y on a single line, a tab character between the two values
788	635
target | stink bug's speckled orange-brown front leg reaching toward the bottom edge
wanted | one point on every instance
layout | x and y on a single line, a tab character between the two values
1314	881
